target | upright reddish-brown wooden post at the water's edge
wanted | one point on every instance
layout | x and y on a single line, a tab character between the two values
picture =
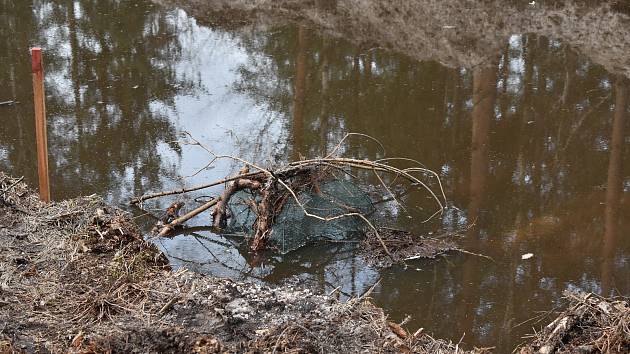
40	123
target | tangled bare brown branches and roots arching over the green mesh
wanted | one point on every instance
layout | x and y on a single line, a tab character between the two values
274	188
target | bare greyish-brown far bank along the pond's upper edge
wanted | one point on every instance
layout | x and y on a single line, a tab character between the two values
454	32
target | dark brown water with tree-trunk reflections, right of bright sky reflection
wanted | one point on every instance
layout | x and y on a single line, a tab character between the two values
539	122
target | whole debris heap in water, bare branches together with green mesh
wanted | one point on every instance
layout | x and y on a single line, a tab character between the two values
305	200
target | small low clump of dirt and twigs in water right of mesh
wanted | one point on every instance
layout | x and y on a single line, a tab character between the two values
402	246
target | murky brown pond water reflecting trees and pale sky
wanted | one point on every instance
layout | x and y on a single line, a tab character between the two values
532	147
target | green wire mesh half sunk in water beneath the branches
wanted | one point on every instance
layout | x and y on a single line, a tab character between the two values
293	229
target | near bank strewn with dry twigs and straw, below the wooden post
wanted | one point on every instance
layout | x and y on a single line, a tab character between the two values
76	276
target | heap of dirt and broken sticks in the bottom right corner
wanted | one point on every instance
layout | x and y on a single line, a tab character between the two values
590	324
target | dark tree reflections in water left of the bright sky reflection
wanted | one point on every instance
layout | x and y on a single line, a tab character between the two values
109	65
